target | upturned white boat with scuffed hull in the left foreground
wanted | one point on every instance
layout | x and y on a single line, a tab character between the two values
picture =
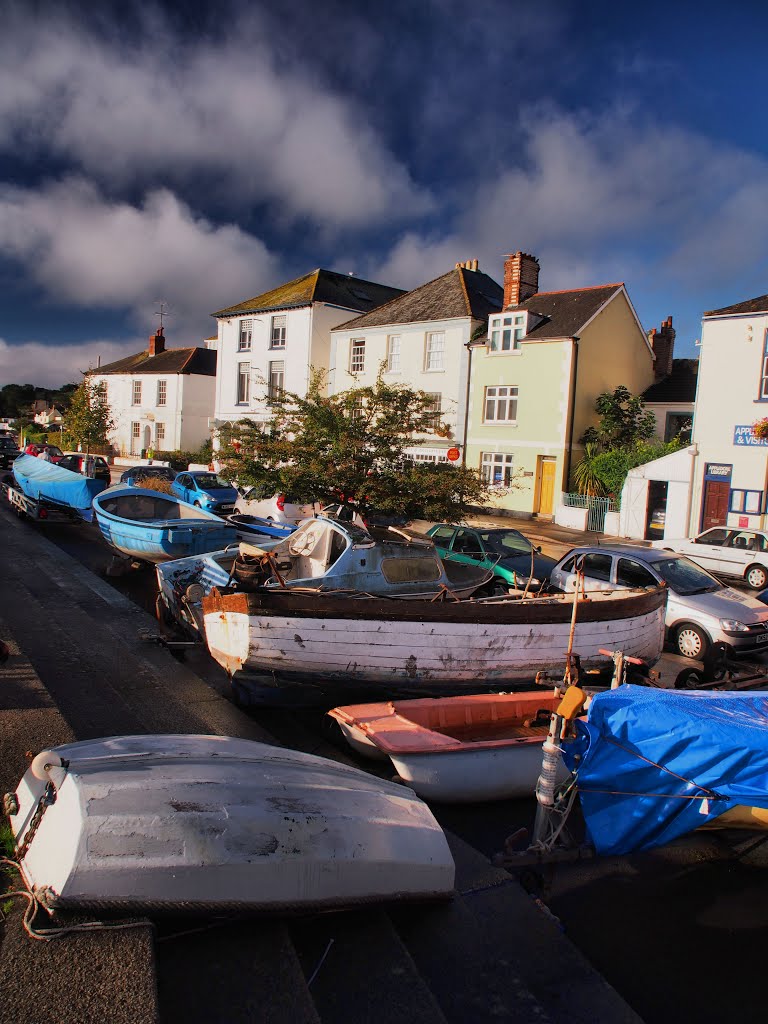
210	823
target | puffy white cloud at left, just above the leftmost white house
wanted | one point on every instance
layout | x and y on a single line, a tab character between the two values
89	252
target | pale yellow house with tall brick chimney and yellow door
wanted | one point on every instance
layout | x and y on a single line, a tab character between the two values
546	358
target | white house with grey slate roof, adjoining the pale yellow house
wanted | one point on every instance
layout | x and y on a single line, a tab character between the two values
421	339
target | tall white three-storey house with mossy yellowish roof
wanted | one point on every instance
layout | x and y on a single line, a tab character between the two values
274	340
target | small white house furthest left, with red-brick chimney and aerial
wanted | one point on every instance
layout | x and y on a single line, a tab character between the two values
160	399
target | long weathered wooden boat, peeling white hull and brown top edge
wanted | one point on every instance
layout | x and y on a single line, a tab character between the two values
344	646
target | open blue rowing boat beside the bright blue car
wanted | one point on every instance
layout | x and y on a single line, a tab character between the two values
151	527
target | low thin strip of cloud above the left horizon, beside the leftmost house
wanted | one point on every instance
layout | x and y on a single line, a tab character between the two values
42	365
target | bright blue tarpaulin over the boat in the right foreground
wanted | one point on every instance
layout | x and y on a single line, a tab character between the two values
657	764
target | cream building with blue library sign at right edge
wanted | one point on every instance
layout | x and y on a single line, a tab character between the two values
731	476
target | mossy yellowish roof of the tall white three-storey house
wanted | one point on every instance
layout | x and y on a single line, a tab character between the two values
320	286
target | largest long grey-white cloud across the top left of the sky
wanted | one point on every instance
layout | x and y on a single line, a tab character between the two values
257	127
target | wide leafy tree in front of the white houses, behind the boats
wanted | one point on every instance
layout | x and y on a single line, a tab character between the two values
351	448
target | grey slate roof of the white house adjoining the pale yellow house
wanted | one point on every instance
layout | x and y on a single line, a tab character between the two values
459	293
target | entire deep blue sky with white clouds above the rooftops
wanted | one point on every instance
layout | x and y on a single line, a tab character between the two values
198	155
